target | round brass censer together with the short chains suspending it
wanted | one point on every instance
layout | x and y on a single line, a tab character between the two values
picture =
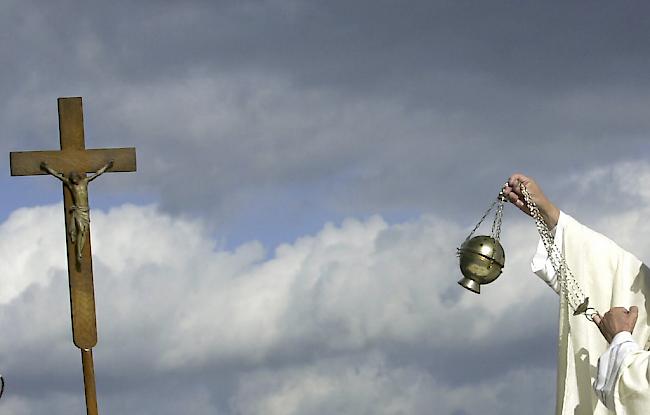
482	257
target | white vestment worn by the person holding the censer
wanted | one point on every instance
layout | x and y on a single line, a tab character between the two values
610	277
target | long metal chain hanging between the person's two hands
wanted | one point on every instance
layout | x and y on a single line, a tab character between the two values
569	286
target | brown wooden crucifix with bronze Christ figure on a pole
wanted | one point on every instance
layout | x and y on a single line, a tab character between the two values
70	165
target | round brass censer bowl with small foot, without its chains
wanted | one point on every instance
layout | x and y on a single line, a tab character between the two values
481	262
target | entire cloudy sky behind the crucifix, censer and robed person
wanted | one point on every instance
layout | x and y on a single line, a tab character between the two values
306	171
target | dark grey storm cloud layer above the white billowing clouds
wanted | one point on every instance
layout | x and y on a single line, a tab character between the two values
381	105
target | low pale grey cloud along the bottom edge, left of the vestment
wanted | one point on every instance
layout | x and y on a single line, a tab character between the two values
368	385
